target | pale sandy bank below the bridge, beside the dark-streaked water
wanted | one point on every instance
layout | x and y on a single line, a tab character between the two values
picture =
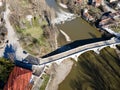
58	74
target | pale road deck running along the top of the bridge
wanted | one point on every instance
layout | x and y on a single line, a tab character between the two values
77	50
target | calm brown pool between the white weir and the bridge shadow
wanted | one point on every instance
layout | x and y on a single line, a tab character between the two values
78	29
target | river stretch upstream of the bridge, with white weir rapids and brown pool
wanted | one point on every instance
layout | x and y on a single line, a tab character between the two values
71	30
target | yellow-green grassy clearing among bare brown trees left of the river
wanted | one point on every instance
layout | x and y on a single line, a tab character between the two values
34	35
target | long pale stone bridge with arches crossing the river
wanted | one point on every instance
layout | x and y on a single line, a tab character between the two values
74	53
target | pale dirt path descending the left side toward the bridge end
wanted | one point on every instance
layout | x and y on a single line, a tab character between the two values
13	40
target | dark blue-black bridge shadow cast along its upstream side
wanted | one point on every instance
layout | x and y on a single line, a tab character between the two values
76	44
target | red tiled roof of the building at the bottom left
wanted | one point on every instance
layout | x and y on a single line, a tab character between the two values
18	79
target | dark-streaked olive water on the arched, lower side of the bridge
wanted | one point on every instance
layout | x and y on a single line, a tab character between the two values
94	72
